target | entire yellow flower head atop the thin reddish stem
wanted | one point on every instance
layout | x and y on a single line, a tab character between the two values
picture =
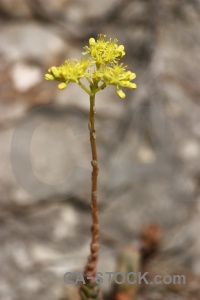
100	69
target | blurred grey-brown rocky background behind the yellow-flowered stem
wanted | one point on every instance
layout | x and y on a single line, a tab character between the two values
148	144
